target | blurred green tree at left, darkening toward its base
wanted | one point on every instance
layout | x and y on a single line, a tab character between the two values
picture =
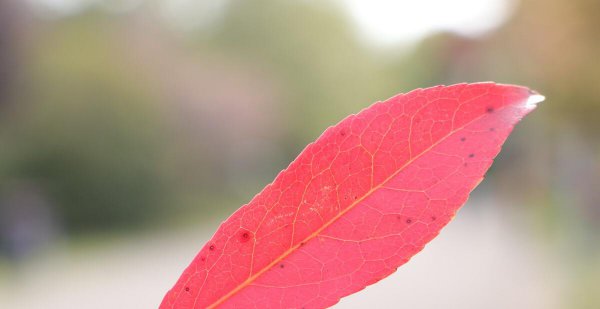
88	130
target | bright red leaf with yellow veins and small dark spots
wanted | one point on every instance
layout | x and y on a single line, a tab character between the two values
357	203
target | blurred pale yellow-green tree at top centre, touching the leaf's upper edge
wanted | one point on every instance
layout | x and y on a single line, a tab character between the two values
324	70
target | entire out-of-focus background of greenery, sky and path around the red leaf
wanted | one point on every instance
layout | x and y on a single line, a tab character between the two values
129	129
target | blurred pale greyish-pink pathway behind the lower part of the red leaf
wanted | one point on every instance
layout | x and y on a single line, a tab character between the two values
483	259
